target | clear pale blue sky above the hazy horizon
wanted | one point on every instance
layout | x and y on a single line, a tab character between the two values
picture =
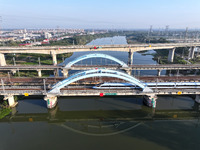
100	14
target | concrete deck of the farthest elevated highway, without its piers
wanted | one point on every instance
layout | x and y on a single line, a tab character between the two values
81	48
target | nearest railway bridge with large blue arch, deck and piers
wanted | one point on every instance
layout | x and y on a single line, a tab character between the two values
64	88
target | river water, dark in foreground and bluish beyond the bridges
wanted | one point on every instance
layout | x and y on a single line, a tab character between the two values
108	123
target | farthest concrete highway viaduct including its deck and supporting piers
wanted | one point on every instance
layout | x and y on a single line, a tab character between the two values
54	50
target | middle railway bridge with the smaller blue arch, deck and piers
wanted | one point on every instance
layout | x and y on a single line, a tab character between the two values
119	66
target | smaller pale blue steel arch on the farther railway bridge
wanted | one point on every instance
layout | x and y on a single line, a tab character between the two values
95	55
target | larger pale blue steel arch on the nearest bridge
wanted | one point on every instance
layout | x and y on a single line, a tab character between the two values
97	73
